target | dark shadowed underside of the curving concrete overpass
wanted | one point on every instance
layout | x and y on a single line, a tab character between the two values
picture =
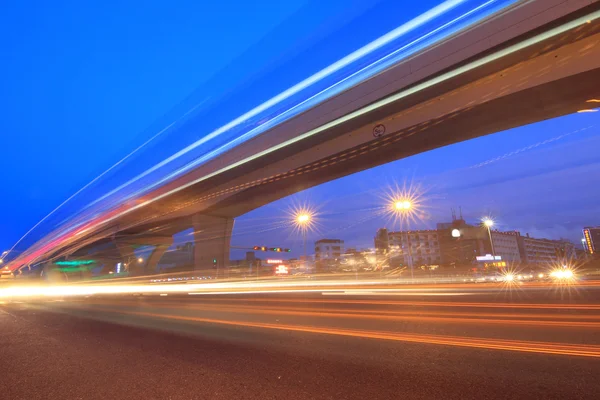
551	100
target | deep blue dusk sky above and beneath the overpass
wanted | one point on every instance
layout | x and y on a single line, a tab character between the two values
87	82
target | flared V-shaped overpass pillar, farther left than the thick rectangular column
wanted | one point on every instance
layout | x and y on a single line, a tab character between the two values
146	265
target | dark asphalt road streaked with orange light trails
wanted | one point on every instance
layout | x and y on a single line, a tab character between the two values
467	342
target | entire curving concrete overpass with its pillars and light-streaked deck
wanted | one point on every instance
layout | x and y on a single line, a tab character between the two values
536	60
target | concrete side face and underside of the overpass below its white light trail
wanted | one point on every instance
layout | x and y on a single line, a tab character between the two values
546	81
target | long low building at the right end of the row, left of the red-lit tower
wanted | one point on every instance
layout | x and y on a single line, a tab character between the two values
545	252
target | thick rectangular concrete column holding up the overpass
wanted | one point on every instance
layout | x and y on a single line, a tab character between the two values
212	240
